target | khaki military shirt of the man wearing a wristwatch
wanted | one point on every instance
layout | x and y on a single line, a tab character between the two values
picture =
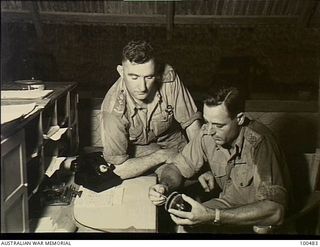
254	170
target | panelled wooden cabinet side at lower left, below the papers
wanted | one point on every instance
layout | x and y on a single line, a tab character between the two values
14	200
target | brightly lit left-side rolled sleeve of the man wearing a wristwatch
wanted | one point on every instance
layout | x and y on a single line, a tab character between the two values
192	157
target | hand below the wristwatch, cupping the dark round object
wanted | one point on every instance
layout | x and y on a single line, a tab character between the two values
199	213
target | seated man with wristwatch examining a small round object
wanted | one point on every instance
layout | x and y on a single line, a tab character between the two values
245	162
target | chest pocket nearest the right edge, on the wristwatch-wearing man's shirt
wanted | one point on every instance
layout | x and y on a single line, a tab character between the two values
242	175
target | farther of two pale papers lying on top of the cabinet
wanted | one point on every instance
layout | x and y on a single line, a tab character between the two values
24	94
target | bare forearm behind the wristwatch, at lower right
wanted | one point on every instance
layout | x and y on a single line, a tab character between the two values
258	213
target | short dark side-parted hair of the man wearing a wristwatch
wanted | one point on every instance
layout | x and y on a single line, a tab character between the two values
231	97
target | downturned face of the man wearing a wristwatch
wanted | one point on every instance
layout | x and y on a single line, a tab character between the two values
217	118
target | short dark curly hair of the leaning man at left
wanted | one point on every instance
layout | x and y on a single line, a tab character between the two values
138	51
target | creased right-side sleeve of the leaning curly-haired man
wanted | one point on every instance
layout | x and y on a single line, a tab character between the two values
185	110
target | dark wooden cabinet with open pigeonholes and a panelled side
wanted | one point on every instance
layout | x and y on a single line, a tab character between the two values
28	148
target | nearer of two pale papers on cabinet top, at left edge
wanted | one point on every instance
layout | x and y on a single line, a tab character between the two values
12	112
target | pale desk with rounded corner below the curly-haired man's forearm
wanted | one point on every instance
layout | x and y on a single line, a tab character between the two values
124	208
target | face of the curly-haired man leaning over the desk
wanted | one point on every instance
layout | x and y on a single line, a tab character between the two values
139	79
